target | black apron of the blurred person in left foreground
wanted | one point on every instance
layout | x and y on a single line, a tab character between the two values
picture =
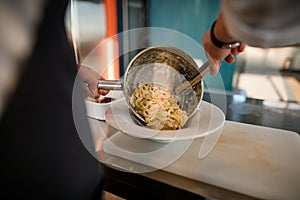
42	156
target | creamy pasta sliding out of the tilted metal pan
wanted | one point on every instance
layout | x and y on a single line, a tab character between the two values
158	107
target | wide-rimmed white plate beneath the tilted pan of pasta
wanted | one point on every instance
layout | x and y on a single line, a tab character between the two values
206	120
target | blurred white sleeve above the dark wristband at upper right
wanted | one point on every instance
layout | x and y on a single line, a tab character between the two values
263	23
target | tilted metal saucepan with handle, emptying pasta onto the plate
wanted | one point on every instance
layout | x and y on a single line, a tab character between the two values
164	66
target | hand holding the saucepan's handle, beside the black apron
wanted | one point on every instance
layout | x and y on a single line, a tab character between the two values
90	78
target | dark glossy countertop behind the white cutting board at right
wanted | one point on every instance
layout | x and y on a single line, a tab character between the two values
281	115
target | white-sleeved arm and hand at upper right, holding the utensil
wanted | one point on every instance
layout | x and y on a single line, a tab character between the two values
266	23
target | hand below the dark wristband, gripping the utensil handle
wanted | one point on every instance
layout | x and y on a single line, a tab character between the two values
216	55
